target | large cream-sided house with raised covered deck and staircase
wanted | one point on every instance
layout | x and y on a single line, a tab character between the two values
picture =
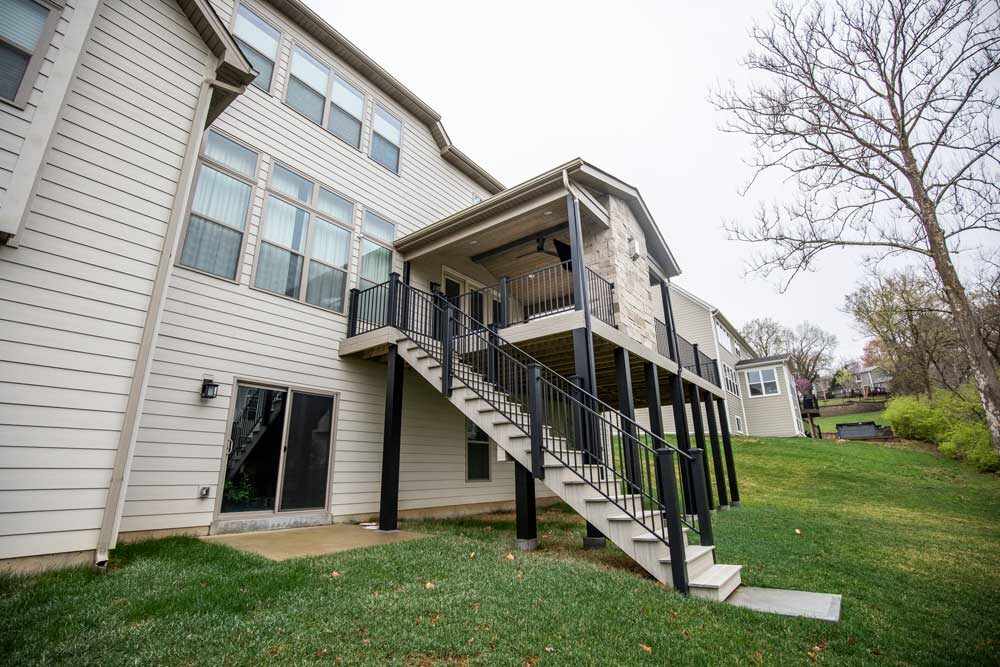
248	283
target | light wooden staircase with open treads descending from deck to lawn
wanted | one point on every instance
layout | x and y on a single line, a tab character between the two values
577	483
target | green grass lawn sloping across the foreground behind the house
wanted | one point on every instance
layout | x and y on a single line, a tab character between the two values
910	539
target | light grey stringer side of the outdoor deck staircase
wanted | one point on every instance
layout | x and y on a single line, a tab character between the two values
706	579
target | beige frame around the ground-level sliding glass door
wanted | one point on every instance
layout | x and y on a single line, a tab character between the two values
277	512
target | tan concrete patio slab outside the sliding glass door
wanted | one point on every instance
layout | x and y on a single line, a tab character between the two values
314	541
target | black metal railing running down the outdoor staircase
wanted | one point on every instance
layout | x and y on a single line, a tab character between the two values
643	475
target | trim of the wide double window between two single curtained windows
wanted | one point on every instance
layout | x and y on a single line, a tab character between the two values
314	213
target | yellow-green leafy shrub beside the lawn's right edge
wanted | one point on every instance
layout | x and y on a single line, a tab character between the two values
953	423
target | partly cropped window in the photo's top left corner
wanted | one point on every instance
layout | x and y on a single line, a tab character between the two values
26	28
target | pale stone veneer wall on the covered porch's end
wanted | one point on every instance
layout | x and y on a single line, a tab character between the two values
607	254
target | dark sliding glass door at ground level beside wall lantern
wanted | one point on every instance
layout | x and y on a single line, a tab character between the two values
279	451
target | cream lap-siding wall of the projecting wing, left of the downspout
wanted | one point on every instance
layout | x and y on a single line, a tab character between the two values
76	291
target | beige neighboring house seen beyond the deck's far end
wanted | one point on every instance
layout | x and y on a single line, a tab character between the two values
761	397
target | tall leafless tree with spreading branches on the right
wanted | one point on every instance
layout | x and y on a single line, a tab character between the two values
883	113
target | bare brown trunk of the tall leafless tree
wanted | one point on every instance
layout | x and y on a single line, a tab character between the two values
984	370
